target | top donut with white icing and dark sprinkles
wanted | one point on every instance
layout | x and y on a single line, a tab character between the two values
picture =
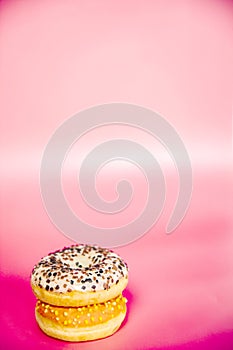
79	275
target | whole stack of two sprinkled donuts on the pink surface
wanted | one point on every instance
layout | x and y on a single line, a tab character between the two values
79	292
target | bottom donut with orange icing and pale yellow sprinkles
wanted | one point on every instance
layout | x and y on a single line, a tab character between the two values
81	323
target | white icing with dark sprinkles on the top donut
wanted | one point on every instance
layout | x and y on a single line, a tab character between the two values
79	268
